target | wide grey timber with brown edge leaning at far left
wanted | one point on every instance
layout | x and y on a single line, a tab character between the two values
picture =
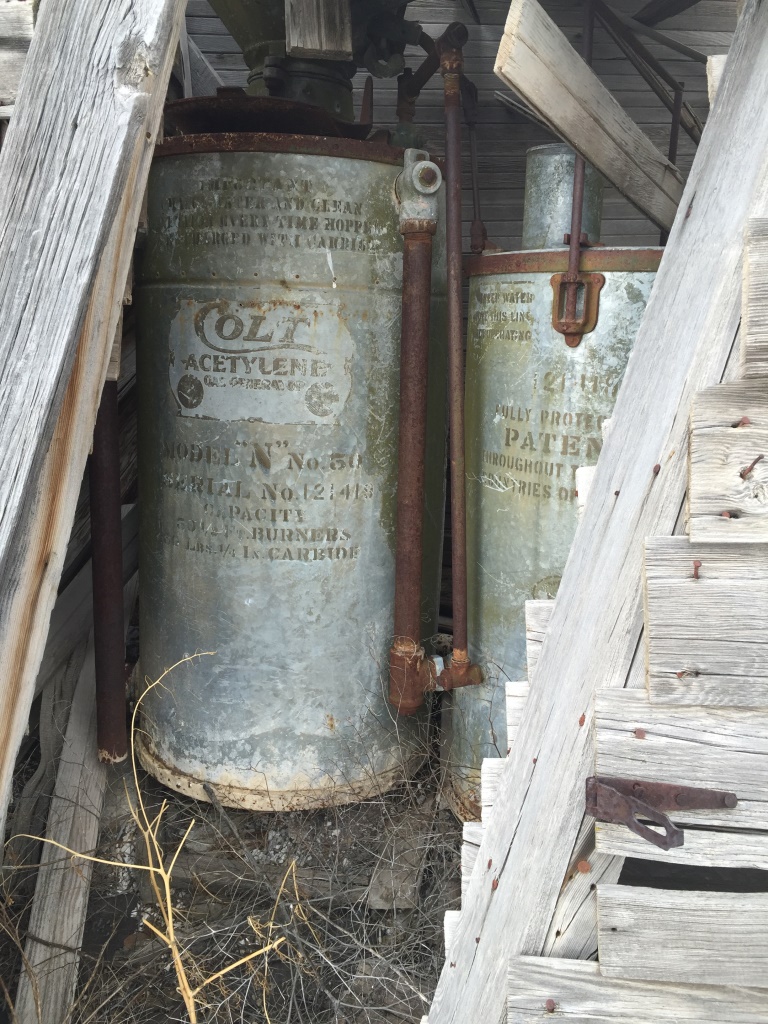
74	166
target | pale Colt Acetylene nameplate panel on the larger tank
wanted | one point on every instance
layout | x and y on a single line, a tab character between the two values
261	361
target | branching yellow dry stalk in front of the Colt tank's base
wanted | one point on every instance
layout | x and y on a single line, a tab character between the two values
160	876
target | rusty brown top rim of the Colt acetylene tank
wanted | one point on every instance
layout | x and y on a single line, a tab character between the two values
311	146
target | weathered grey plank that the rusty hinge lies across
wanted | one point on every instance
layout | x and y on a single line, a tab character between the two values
714	748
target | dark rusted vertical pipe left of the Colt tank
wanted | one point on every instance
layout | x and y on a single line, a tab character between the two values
107	546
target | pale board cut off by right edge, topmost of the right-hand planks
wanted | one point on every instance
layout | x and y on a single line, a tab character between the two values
755	301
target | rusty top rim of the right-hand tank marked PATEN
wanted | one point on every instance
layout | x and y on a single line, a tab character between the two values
557	262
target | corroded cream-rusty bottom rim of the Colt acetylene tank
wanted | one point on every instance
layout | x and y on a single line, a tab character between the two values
326	795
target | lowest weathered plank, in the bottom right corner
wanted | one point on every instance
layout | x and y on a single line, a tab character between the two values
582	995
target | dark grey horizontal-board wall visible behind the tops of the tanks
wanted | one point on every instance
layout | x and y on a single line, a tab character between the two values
504	137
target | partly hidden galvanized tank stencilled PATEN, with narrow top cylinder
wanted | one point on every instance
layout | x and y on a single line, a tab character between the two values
537	397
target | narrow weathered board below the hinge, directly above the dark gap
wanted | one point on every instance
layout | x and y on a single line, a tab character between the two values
703	848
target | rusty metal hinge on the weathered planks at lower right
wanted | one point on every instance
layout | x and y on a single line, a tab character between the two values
623	801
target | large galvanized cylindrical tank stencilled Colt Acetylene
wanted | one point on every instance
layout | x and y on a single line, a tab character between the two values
269	356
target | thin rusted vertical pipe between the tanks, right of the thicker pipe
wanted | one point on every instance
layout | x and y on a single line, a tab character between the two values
452	64
